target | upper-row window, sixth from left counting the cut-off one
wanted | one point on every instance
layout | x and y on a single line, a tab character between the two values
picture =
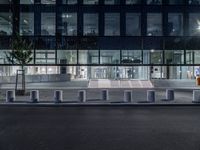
112	24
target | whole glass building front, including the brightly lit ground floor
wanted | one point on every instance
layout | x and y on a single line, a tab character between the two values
114	59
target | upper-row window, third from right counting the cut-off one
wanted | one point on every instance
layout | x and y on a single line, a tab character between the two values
154	24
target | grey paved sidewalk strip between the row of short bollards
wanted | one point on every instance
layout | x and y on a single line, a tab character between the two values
182	96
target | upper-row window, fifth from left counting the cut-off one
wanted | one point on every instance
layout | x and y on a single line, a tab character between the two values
91	24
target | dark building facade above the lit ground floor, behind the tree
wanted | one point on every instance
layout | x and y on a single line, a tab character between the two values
150	32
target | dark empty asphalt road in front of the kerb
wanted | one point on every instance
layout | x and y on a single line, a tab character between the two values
100	128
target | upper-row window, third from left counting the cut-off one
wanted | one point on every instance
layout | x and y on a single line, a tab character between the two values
48	24
